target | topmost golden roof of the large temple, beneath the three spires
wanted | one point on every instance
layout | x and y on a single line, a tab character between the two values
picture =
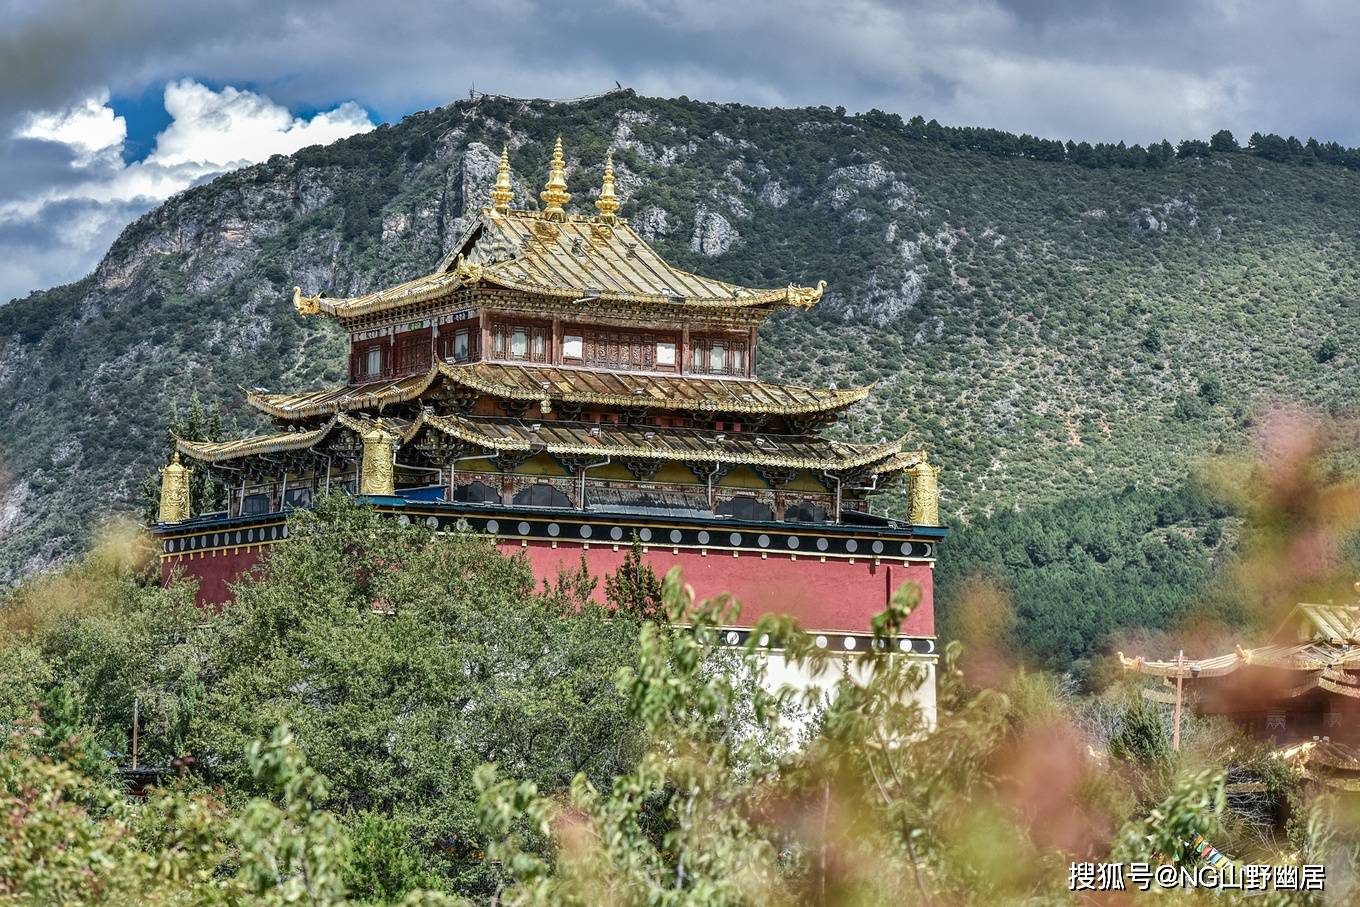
575	259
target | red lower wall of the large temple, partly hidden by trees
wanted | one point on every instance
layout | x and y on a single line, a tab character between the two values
833	595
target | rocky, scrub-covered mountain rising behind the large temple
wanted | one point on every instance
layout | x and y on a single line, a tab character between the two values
1053	332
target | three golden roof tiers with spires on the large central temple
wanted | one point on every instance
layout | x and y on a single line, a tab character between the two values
599	266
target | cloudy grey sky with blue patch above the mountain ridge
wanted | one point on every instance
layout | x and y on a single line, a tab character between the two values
107	109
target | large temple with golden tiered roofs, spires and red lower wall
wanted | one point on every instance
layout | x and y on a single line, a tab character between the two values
558	386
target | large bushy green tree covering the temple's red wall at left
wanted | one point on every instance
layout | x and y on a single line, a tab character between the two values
402	663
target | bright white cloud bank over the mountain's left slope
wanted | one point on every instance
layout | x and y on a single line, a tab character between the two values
77	217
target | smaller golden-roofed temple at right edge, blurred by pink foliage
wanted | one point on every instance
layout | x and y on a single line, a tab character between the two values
1301	693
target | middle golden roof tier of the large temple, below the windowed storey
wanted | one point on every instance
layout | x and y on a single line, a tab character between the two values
693	394
